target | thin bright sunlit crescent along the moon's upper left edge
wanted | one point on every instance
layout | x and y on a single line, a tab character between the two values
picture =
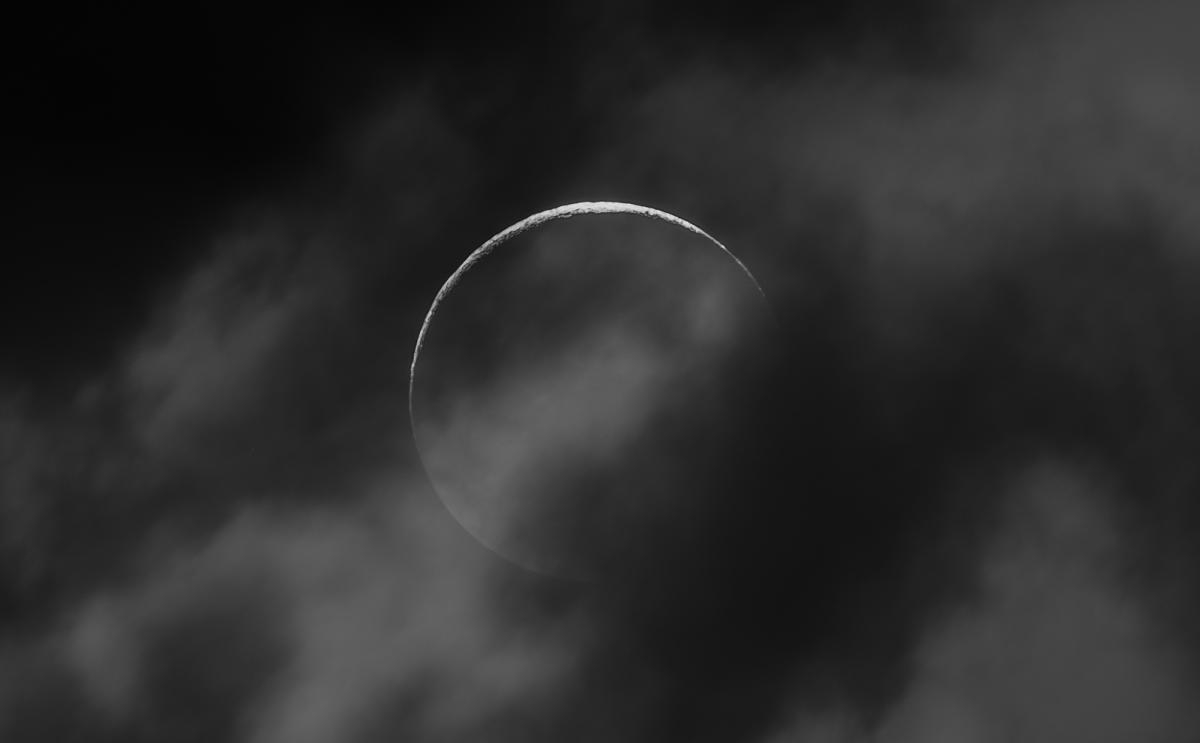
542	218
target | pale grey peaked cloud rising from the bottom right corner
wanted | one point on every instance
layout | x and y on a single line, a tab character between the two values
1055	648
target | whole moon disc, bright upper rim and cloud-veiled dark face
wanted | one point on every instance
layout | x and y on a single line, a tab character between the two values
574	375
